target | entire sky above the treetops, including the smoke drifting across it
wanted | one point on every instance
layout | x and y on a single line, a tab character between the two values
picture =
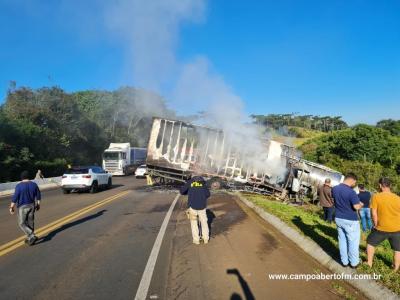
306	57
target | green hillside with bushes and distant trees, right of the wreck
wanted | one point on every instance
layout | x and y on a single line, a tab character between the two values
369	151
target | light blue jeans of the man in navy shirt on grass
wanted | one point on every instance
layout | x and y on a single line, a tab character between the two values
349	241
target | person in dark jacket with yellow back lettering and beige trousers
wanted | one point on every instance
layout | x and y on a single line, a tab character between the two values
198	193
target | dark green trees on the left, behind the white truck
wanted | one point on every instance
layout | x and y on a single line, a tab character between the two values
48	128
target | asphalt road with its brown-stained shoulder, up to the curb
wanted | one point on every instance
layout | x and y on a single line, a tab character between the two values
101	252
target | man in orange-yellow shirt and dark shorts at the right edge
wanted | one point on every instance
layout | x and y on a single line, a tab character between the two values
385	209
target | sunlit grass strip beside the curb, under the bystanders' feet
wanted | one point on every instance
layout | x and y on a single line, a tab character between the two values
308	221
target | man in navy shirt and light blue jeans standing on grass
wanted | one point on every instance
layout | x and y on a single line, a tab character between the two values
348	226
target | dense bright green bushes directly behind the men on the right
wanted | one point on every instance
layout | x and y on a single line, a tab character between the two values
368	151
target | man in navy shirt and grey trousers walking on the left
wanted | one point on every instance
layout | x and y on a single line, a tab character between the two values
27	199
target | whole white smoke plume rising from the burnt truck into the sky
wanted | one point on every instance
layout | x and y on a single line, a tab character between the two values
150	30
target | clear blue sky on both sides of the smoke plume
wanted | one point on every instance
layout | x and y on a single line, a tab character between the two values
309	57
